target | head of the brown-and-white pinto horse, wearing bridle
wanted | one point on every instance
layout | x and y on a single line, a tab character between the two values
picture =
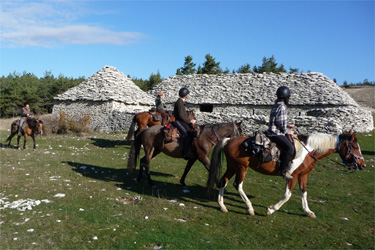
350	152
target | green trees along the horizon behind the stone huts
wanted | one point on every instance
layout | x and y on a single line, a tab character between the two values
16	88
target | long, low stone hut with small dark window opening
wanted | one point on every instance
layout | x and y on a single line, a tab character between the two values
317	103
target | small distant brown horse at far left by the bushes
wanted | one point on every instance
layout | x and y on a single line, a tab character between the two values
32	128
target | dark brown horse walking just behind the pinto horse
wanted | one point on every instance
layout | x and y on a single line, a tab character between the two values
152	140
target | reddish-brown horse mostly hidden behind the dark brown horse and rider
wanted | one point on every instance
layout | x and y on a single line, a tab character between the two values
144	120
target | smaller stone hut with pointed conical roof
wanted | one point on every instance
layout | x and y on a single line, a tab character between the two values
109	97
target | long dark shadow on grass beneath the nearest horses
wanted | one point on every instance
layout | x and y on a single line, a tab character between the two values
194	194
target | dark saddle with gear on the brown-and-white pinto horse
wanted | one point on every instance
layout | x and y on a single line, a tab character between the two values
262	146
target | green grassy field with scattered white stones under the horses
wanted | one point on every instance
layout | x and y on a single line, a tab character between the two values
81	196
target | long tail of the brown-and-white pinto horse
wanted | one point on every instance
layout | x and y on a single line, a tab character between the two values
215	165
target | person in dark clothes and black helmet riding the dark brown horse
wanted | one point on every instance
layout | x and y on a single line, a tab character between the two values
183	123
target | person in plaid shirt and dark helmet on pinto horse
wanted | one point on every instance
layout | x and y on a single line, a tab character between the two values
278	128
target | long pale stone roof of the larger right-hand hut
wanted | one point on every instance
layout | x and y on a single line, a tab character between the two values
255	89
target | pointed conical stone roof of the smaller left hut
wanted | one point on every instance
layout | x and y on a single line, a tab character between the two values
105	85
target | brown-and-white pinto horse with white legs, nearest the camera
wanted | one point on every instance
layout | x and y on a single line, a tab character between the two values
315	147
